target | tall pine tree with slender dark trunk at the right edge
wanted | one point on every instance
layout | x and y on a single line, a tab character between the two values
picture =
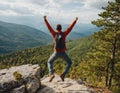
109	38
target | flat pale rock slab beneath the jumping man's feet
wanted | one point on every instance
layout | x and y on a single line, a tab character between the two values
68	86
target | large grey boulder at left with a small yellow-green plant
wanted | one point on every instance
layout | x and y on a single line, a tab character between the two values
20	79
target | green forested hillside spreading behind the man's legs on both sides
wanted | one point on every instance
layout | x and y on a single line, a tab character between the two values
85	65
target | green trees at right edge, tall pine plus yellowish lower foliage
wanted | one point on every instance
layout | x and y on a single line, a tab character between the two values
105	55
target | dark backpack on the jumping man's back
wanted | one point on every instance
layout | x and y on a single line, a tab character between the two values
59	44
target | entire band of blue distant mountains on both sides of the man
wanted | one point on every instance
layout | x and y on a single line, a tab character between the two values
15	37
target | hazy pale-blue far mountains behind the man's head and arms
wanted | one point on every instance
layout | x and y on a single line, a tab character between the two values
78	31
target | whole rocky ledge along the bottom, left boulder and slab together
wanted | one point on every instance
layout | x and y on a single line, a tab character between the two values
26	79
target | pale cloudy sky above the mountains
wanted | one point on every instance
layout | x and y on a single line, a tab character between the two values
31	12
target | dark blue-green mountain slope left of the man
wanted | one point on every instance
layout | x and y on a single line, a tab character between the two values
16	37
